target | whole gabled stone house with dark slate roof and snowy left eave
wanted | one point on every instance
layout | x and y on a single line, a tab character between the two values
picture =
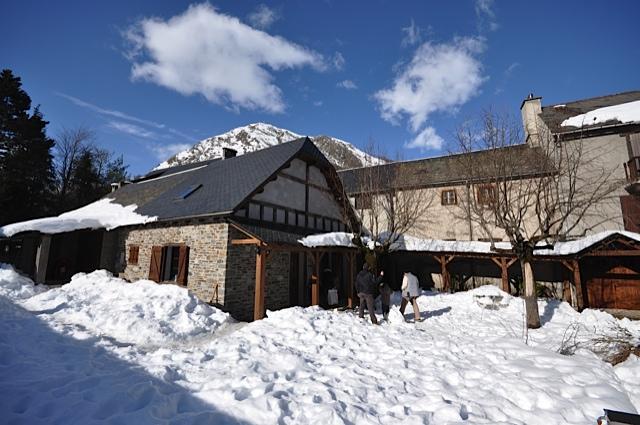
225	228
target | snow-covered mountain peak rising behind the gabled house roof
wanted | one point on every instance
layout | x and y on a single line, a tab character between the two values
256	136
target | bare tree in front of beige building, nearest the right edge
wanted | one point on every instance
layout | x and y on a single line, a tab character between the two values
537	194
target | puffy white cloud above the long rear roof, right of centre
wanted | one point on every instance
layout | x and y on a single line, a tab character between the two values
439	77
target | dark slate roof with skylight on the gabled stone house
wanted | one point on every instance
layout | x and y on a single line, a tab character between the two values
225	184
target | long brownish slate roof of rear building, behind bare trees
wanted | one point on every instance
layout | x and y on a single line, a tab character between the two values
444	170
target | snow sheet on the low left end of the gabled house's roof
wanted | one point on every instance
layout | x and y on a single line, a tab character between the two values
102	214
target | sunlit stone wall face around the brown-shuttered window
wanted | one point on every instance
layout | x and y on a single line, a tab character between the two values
207	254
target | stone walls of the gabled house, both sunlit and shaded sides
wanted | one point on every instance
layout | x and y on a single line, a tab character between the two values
219	273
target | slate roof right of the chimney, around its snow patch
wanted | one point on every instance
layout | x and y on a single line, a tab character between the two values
553	115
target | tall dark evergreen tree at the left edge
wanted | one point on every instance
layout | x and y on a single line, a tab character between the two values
26	167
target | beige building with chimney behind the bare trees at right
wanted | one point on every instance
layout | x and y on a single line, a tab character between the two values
609	143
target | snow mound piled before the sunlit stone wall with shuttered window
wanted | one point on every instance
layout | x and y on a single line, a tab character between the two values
142	312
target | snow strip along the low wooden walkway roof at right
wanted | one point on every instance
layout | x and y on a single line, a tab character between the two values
410	243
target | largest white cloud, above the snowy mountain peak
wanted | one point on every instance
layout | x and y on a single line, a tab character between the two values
206	52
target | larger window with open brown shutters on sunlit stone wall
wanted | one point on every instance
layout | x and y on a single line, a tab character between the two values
169	264
